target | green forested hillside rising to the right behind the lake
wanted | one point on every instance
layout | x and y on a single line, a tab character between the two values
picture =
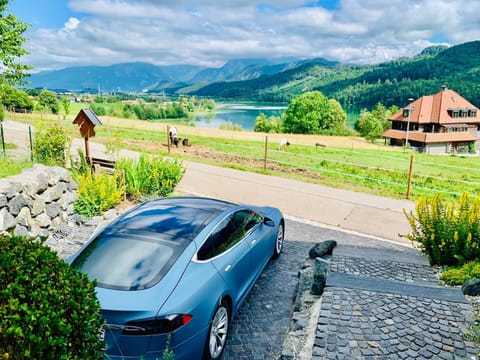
364	86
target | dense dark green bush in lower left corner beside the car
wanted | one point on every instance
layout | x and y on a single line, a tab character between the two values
48	310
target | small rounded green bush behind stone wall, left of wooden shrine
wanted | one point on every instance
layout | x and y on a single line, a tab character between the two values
49	145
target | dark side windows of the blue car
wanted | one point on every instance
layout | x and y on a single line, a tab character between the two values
228	233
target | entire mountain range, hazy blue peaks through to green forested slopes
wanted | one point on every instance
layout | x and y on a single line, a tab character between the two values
279	80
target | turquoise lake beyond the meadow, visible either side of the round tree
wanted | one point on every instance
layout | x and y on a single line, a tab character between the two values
245	114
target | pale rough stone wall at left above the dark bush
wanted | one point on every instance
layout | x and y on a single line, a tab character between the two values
37	201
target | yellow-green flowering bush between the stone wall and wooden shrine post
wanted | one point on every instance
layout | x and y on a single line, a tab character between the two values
98	193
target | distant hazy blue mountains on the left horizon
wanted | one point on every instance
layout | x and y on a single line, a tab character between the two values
142	77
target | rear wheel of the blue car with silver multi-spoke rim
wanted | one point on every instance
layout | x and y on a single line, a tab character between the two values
217	332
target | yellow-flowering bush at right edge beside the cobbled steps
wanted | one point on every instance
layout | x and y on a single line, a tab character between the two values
448	232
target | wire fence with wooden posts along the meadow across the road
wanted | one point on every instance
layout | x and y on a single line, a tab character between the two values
380	171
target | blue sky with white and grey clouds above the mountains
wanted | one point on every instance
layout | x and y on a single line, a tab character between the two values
67	33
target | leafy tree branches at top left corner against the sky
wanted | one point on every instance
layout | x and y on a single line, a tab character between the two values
11	47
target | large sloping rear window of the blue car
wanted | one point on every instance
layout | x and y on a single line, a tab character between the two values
128	260
